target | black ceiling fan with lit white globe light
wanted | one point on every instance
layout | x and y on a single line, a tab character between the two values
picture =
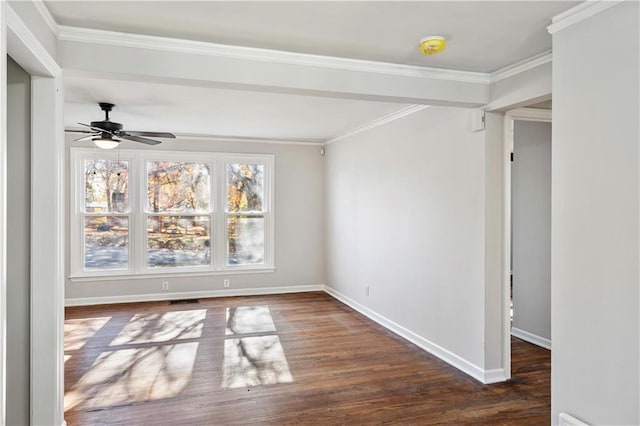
107	134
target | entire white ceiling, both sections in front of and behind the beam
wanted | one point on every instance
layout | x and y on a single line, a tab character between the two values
482	37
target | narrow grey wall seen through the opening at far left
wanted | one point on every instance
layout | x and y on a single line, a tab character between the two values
18	312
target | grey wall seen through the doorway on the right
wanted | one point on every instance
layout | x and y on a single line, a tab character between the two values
531	230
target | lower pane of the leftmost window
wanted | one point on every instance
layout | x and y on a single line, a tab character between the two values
106	242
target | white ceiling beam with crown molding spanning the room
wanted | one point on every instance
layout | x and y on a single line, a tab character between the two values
144	58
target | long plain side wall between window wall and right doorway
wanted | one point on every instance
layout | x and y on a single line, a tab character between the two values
405	207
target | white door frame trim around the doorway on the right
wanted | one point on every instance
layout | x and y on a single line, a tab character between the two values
518	114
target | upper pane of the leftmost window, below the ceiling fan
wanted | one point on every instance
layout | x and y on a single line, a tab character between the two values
106	186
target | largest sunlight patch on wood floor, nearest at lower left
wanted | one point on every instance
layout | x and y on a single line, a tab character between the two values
134	375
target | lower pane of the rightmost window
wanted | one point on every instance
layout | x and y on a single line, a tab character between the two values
245	240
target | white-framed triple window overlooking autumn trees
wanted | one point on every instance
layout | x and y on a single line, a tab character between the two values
154	212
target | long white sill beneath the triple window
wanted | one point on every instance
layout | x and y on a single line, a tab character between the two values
123	276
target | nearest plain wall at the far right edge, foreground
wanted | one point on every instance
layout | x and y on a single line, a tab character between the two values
595	240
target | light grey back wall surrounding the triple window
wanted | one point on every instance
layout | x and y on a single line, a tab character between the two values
299	259
